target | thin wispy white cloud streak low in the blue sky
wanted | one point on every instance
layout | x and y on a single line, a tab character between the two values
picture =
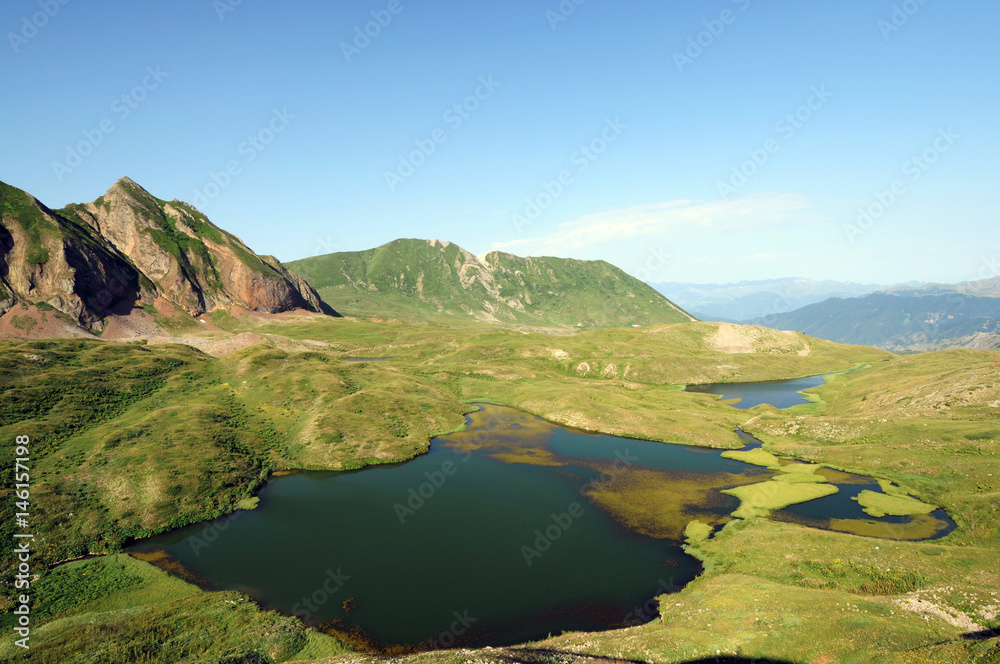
740	214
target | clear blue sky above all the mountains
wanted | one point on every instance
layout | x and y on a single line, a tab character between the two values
612	130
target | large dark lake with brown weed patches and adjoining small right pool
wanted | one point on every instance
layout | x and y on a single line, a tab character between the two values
505	532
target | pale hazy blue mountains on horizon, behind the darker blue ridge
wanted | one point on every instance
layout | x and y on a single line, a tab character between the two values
755	299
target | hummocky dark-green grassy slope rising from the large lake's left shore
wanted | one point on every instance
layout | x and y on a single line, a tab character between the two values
130	440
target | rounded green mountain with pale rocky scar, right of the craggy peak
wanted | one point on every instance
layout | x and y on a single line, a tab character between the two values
433	280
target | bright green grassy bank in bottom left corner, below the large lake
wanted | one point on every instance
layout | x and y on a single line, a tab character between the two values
129	612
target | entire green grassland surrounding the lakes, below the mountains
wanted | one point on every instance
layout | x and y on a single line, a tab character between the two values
137	439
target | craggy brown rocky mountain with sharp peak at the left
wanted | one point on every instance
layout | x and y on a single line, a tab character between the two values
127	248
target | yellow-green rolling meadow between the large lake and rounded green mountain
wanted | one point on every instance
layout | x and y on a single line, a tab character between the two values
621	381
